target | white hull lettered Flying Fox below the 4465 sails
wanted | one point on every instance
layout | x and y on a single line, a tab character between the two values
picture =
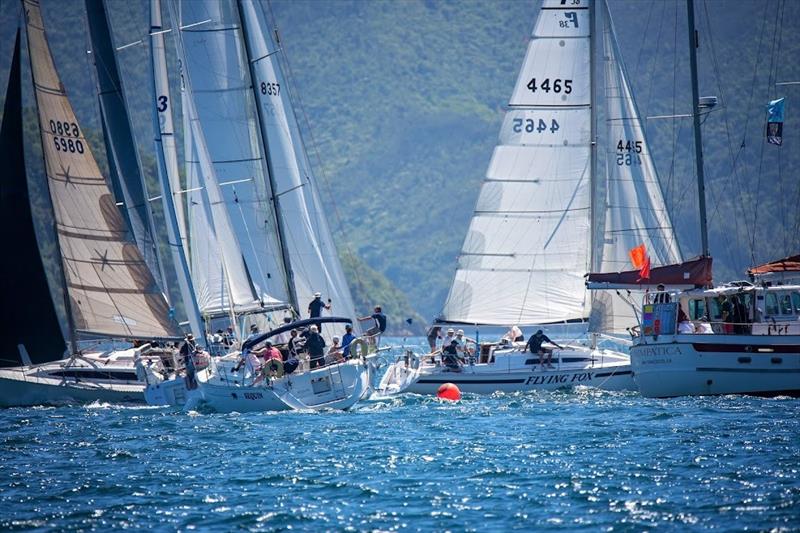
514	371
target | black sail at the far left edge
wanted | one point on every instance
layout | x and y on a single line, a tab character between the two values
30	333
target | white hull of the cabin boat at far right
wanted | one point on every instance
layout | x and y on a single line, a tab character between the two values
682	365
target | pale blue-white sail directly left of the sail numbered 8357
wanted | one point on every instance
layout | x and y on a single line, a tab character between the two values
225	132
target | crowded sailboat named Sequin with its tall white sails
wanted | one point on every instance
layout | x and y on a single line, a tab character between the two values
252	193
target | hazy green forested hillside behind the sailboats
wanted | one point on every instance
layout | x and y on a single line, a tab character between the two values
404	100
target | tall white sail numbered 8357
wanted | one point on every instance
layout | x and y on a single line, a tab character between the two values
312	253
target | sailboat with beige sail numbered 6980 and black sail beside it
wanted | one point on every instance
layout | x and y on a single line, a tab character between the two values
108	289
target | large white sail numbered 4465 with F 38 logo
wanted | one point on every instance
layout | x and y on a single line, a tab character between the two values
528	244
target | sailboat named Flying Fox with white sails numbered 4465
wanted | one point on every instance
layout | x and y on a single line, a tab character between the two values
562	196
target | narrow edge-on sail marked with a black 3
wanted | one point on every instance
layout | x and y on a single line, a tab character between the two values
162	103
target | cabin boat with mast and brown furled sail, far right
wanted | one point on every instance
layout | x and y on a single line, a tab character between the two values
696	339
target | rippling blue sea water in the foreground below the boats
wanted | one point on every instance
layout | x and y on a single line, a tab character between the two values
561	461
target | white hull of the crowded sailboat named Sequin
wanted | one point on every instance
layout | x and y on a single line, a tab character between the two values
218	389
